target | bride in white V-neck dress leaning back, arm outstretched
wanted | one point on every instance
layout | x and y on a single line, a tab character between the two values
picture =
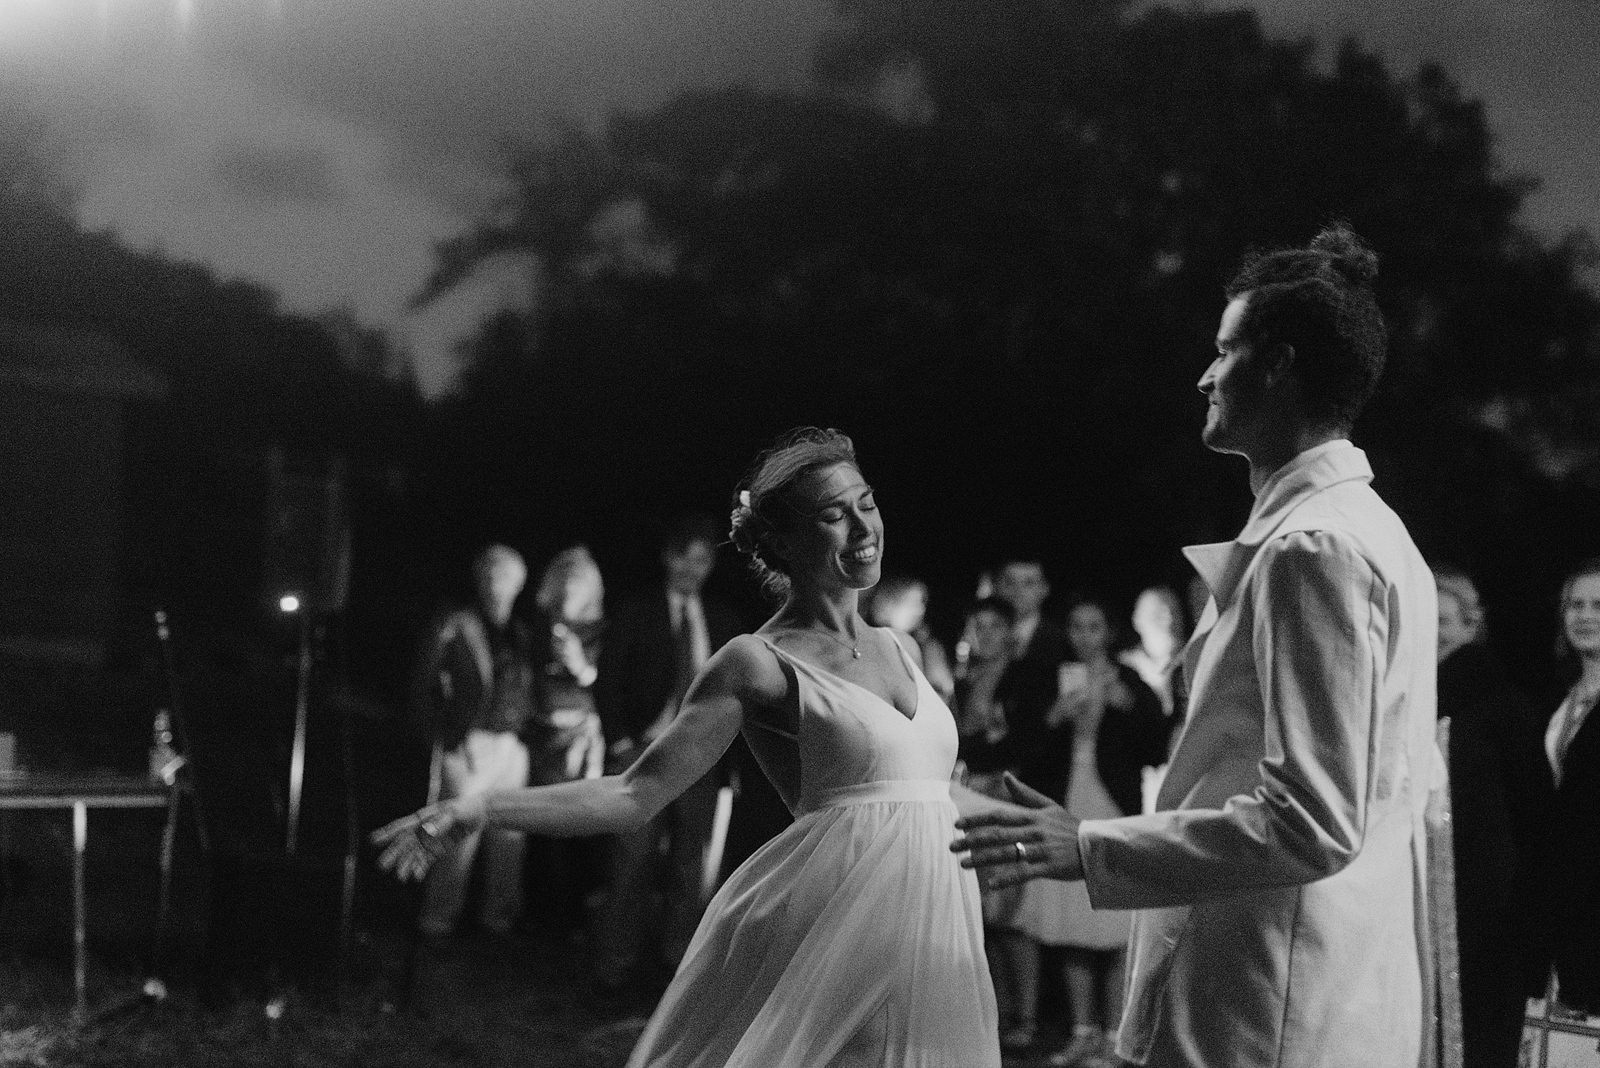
854	939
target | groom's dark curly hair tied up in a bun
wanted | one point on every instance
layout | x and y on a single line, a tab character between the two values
1321	301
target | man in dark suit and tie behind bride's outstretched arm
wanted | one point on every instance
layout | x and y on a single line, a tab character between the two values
655	647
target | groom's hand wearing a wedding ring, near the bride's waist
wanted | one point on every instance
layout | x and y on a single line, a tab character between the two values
1047	835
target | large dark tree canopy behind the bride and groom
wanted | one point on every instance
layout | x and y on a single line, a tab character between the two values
993	245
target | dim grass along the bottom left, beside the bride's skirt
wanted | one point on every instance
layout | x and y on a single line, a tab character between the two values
521	1005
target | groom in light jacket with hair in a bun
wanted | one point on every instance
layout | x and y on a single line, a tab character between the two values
1279	883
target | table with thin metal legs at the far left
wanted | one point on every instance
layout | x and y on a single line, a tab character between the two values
81	794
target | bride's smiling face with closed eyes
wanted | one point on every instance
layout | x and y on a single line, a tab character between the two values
836	535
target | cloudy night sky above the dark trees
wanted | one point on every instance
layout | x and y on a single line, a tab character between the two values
324	146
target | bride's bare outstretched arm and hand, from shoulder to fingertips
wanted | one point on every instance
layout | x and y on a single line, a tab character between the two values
706	725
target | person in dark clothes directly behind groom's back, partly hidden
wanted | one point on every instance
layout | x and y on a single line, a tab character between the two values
1500	791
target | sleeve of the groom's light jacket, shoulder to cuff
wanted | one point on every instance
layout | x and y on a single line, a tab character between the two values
1319	637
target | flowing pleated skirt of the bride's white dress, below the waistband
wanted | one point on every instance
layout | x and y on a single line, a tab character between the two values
850	941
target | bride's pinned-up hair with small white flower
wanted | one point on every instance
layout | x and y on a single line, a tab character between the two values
761	508
